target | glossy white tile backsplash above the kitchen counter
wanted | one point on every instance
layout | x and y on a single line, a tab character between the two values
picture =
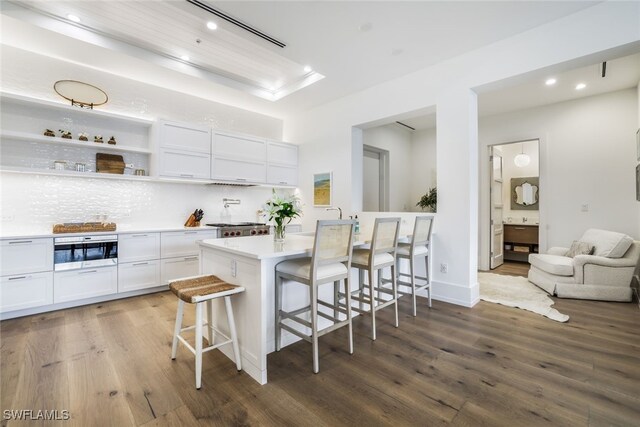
31	202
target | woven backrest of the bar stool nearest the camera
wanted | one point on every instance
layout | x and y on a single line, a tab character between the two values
333	243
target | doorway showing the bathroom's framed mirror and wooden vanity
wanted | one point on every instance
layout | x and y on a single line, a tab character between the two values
514	205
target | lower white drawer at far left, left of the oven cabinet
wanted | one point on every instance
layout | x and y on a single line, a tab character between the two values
26	291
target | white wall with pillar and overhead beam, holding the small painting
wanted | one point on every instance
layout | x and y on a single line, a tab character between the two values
325	132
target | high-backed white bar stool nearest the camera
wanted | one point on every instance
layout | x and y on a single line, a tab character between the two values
330	263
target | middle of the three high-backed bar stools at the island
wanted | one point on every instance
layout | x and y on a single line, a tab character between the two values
382	254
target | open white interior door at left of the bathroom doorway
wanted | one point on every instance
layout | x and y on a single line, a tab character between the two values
497	229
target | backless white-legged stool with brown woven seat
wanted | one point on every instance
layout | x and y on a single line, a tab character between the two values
198	290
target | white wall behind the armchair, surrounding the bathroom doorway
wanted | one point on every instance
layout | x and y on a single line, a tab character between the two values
587	156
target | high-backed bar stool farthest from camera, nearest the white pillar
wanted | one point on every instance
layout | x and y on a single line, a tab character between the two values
418	247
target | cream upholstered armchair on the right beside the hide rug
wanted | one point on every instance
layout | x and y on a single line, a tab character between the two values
605	275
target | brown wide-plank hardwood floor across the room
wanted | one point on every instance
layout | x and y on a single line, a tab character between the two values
109	364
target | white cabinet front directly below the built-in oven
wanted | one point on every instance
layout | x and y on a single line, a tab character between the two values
81	284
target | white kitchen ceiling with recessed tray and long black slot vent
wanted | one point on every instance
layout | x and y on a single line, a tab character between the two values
353	44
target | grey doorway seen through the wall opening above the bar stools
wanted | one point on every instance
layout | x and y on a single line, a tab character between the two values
375	171
